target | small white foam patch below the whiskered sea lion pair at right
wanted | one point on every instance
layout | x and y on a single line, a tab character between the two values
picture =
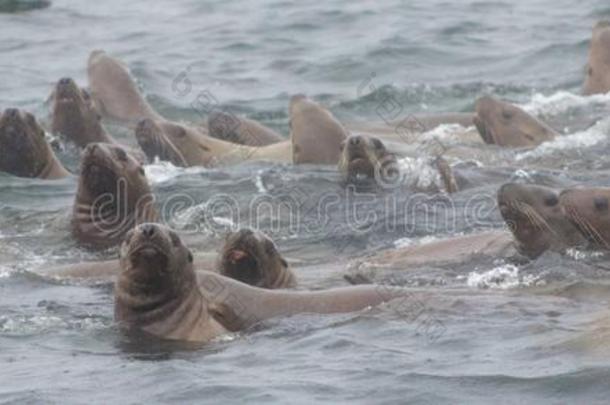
502	277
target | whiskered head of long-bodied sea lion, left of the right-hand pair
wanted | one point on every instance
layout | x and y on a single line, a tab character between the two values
536	219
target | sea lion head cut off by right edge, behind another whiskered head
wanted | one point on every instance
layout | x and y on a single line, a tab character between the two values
588	209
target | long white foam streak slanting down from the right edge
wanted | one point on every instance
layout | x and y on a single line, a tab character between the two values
582	139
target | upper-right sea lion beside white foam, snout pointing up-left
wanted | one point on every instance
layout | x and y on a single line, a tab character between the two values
504	124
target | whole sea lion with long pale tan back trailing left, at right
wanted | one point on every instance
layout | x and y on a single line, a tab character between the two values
535	220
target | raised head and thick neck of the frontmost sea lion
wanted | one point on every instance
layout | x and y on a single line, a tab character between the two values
157	290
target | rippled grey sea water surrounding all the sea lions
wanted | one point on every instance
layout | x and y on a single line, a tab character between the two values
491	331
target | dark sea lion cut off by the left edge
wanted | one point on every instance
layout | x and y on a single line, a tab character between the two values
24	151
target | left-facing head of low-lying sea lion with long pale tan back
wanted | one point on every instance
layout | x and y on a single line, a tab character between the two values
154	143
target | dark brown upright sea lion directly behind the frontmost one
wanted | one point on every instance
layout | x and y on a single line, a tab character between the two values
113	196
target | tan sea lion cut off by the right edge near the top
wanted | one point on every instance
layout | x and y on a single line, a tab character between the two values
597	79
